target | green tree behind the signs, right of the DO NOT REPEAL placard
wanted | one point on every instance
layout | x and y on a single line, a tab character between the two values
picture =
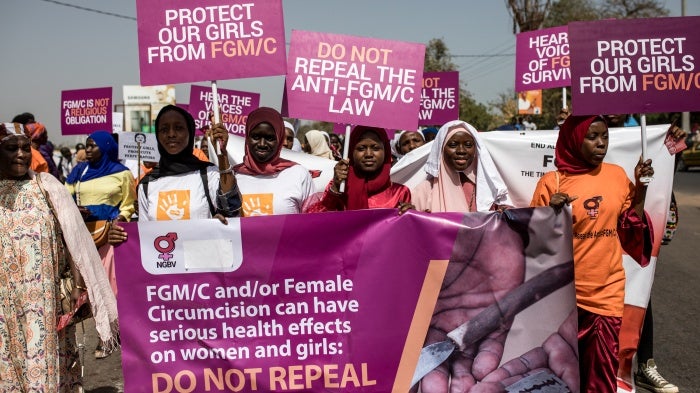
438	58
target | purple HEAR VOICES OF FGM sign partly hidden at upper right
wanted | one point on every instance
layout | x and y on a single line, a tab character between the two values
542	59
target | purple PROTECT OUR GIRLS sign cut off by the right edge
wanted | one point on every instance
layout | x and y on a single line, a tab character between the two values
635	65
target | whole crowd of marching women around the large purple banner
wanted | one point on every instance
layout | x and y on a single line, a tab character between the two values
460	176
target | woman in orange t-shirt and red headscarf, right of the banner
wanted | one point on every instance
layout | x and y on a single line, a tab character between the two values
608	217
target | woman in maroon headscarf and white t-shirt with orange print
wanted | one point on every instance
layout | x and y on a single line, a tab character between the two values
269	184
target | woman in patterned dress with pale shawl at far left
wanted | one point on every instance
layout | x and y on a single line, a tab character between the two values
34	355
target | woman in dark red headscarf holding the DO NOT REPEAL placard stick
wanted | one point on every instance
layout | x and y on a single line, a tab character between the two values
366	174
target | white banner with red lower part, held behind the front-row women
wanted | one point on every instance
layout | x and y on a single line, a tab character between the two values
523	157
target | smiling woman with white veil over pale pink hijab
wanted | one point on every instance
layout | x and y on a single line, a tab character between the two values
461	175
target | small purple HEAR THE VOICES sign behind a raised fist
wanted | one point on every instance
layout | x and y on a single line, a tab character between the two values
234	107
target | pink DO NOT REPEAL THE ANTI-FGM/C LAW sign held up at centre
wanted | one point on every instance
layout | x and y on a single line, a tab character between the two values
355	80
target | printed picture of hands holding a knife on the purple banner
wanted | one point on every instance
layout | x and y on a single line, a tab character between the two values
482	292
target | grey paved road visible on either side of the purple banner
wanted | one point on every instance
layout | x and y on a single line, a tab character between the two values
676	303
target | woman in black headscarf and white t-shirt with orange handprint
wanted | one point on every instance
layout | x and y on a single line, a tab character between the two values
182	187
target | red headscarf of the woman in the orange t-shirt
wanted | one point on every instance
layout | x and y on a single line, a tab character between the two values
567	153
